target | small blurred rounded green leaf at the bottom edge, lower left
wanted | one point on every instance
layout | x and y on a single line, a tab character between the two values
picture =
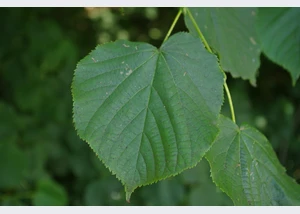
50	193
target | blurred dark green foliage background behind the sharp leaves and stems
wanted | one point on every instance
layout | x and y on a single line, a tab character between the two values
43	161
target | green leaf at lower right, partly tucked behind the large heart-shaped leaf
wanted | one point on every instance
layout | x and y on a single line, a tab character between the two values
244	165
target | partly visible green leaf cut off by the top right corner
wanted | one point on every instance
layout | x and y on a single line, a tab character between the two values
279	34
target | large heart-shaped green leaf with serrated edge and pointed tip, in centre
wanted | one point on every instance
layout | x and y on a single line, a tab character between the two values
148	113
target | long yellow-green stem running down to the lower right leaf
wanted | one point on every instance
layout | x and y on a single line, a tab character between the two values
209	49
